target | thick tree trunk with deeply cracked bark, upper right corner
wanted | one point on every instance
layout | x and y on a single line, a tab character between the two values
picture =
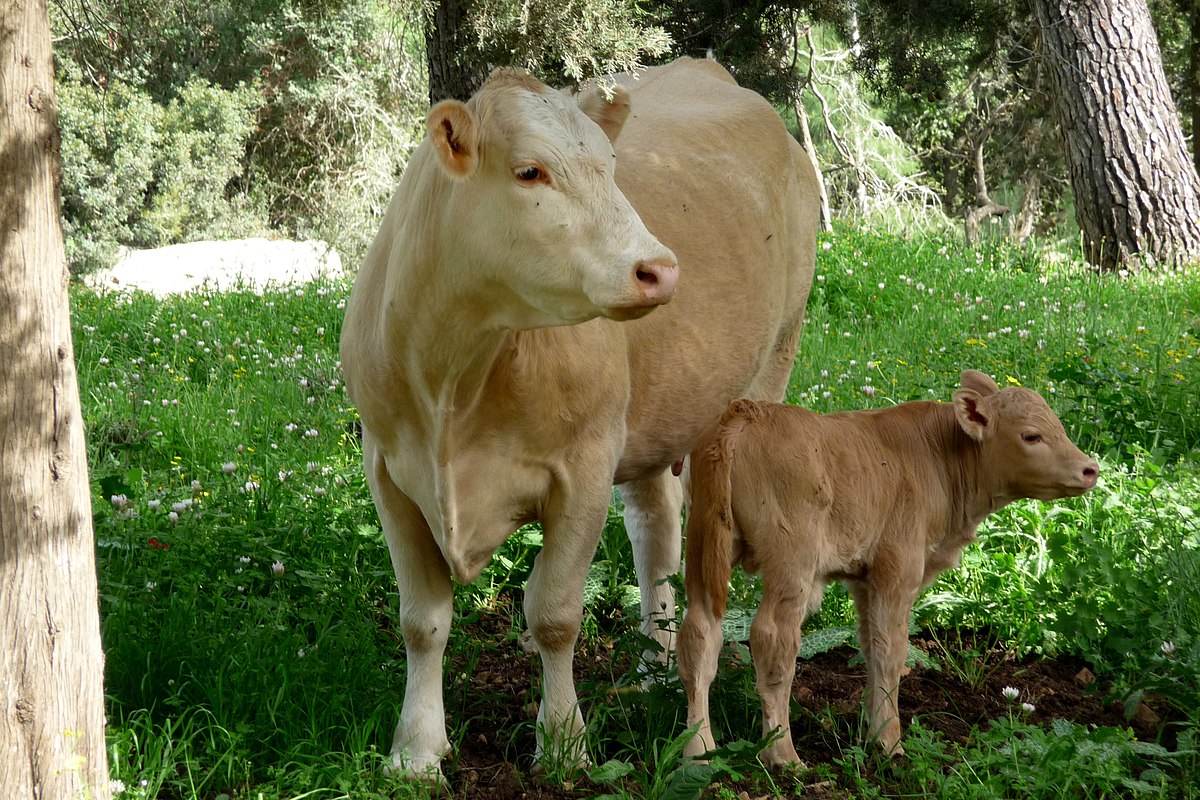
1137	191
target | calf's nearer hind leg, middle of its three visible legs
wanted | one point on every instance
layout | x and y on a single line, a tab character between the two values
775	645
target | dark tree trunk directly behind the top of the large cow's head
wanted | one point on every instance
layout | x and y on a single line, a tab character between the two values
451	49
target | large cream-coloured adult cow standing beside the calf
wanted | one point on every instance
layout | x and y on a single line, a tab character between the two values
506	364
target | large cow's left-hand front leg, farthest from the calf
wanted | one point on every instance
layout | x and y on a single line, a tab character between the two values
427	607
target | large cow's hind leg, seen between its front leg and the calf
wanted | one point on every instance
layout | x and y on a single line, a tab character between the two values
652	522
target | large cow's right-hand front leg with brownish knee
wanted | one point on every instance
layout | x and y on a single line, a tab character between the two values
554	607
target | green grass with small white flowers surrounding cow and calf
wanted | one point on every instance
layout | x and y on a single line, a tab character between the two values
248	601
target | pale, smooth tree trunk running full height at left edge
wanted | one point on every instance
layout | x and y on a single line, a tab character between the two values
52	732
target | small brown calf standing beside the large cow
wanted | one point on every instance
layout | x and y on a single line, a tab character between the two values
883	500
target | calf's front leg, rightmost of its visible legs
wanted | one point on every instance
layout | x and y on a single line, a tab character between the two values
884	623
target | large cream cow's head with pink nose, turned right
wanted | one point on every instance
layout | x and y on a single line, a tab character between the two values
536	209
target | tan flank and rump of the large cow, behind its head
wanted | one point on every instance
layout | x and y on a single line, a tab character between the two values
716	176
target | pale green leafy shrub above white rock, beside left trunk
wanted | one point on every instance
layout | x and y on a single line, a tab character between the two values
143	175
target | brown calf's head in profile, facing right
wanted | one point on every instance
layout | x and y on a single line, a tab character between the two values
1025	448
